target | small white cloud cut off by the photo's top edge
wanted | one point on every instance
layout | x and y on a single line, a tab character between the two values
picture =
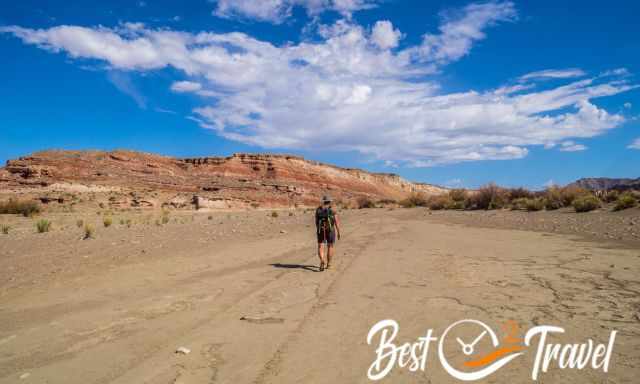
276	11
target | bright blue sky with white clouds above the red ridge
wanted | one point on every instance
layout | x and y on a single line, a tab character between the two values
454	93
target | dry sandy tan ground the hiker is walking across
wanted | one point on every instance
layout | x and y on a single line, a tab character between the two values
242	293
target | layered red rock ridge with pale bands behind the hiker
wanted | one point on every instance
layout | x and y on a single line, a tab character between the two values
238	181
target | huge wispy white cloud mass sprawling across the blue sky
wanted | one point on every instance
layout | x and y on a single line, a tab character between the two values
354	90
